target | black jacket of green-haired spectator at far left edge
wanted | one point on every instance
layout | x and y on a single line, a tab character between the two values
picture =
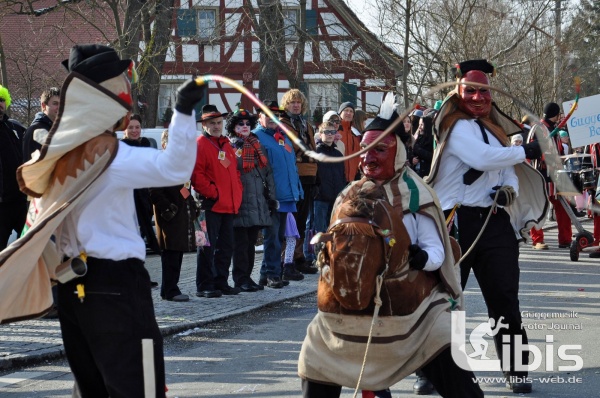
11	157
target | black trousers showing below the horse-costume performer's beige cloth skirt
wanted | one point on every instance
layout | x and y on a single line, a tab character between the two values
449	380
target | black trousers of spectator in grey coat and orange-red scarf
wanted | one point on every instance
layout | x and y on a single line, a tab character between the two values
244	254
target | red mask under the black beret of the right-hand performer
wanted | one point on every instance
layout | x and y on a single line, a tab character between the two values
475	101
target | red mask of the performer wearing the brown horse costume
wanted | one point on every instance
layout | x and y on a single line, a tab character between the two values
378	162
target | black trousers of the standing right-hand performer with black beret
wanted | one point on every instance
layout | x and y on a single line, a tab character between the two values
495	263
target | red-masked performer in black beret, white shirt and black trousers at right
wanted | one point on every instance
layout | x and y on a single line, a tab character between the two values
473	165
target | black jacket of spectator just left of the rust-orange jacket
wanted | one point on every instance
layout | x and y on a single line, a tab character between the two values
330	175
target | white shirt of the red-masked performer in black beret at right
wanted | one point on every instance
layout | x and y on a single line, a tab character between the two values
466	149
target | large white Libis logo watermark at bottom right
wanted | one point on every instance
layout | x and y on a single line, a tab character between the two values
478	360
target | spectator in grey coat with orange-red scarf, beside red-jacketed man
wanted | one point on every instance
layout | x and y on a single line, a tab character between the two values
258	196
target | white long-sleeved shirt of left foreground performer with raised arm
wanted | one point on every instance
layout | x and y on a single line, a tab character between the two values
104	223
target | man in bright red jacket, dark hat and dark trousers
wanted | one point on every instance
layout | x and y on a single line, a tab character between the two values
217	181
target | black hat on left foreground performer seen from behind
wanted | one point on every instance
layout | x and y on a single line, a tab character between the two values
96	62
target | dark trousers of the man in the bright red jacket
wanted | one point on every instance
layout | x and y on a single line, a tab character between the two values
212	269
